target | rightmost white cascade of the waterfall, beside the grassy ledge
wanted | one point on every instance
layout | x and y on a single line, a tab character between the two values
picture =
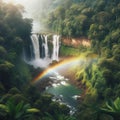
55	47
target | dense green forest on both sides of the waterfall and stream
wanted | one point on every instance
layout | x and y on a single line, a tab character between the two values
97	20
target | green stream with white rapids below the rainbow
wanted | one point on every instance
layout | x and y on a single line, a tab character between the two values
63	91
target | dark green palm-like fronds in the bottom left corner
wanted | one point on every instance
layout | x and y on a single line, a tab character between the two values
16	111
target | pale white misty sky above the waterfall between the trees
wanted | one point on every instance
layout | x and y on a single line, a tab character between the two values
37	10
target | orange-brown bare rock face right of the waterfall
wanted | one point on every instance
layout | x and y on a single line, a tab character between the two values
76	42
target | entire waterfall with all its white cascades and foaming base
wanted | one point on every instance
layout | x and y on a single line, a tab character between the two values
40	47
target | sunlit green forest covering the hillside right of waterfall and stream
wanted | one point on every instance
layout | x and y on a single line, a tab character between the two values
98	20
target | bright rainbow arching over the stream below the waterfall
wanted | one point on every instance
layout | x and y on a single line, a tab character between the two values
56	66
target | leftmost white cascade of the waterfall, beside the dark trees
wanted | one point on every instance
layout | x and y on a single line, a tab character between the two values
35	42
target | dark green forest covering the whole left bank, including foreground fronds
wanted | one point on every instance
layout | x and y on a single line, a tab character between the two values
19	100
